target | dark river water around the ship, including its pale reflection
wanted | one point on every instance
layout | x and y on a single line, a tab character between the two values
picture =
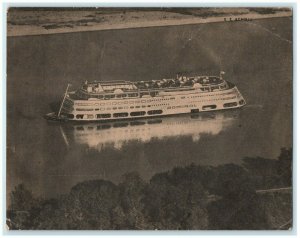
51	158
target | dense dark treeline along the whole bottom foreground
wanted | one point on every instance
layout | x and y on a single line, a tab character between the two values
194	197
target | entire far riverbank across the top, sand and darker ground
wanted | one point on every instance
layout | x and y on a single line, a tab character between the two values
39	22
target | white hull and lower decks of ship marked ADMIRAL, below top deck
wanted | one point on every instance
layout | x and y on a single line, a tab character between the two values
165	104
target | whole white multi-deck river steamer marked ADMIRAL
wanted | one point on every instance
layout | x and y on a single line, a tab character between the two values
113	100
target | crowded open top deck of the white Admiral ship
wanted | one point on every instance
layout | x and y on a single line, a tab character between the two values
127	89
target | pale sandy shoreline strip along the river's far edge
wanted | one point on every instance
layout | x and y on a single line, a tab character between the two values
29	30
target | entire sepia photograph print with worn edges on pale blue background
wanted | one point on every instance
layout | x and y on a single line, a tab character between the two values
149	118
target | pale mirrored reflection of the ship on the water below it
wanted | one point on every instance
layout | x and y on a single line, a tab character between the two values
116	134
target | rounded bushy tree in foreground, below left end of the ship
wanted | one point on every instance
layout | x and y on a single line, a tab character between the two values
90	203
